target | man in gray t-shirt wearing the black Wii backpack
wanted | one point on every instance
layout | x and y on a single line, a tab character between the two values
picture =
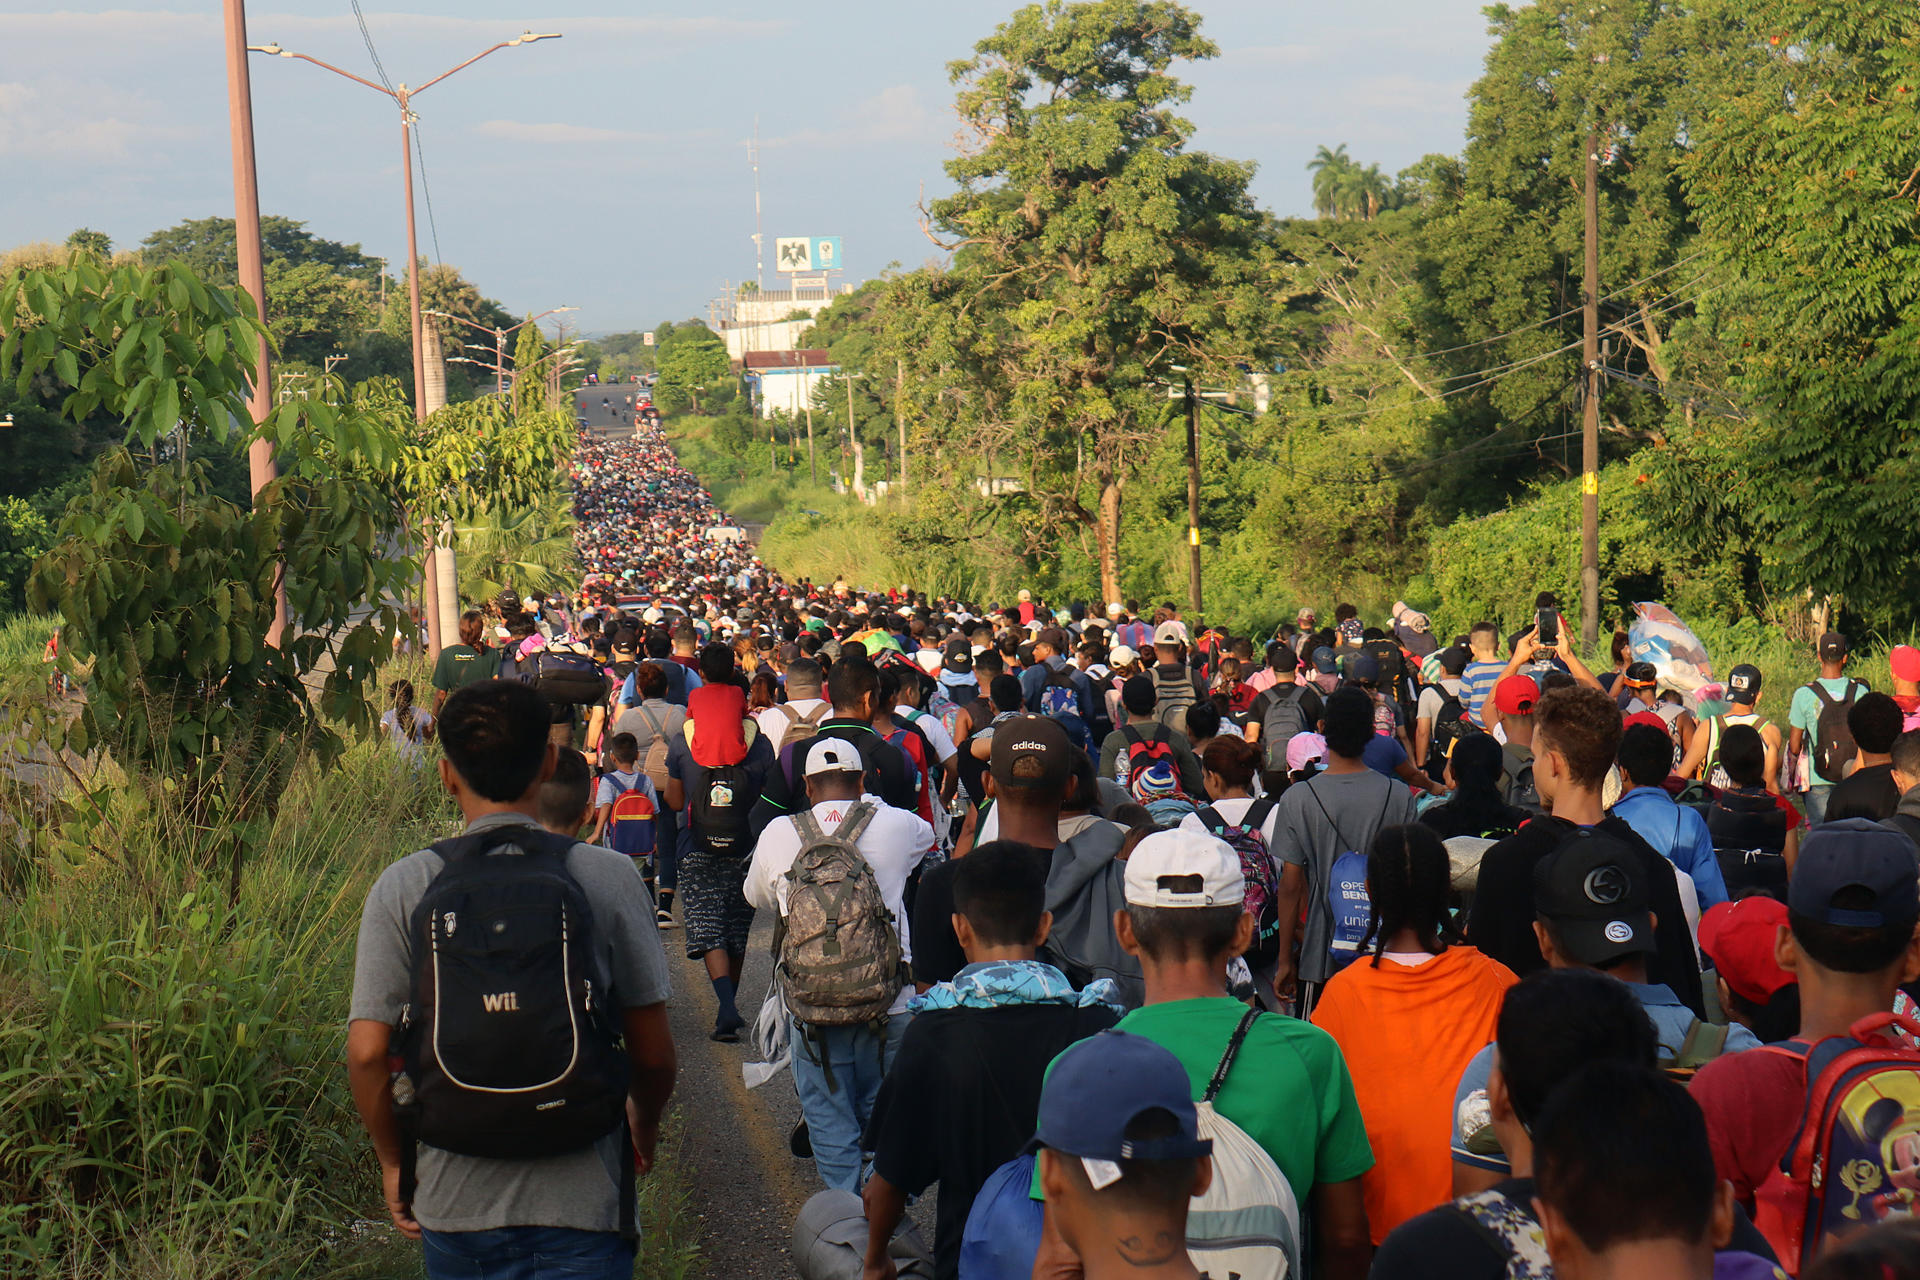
471	1210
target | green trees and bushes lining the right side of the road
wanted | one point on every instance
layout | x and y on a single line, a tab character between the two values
1403	375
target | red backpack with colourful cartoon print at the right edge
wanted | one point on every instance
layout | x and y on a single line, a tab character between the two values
1856	1158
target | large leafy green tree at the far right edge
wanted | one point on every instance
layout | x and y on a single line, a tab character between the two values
1806	181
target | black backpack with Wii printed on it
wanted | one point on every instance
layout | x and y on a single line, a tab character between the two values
510	1043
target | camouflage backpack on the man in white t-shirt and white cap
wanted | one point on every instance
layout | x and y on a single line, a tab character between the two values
838	949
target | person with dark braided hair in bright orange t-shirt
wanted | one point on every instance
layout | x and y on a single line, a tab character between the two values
1408	1018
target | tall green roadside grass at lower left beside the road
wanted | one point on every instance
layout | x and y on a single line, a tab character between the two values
174	1099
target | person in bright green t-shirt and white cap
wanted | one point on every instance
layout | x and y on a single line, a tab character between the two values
1289	1087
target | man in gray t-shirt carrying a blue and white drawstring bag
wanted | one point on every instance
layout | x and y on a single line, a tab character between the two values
1320	820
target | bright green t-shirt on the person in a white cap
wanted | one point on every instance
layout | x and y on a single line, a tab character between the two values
1289	1087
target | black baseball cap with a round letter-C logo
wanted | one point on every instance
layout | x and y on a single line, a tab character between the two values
1593	895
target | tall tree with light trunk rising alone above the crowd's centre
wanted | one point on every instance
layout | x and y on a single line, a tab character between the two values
1107	250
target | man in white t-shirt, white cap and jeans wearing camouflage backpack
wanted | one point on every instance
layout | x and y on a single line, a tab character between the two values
838	1070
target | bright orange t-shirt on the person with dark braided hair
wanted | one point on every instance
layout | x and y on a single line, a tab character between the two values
1408	1033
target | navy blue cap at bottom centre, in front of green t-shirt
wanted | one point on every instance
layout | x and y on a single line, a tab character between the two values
1101	1085
